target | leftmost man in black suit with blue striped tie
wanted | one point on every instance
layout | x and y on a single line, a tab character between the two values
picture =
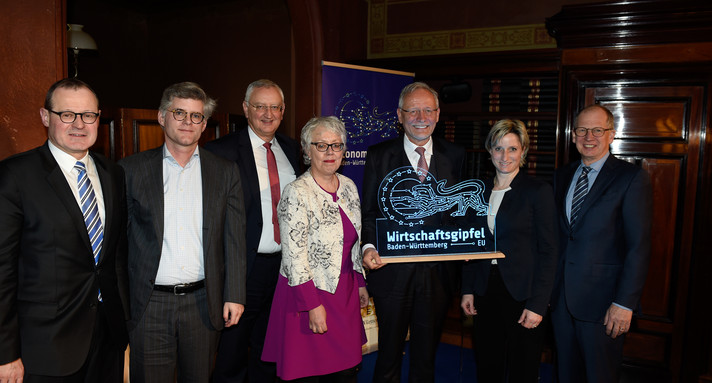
63	280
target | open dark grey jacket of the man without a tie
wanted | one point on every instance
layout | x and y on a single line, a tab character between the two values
223	228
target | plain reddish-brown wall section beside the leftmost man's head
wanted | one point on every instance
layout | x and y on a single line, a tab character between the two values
32	56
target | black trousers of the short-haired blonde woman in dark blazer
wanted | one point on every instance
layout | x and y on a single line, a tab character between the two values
504	350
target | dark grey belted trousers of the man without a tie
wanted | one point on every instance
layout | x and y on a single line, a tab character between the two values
174	338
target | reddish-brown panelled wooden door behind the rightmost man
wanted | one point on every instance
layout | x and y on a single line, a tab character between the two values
659	126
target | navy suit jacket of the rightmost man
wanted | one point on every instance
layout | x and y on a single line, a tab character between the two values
604	256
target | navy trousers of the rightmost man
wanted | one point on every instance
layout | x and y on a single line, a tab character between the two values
584	352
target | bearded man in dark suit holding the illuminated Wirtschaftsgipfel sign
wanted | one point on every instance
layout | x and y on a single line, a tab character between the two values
409	295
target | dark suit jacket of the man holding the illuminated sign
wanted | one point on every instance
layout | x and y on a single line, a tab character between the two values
446	163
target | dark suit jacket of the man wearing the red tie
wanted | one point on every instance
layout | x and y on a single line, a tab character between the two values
238	148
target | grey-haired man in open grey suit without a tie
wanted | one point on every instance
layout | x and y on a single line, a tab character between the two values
186	249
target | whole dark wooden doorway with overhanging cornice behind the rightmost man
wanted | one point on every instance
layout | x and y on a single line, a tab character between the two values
654	71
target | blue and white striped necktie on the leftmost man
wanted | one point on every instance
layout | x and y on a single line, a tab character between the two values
90	211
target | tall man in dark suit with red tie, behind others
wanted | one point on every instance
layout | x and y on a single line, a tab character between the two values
264	108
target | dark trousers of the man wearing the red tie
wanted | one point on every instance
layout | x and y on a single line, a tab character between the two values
234	363
